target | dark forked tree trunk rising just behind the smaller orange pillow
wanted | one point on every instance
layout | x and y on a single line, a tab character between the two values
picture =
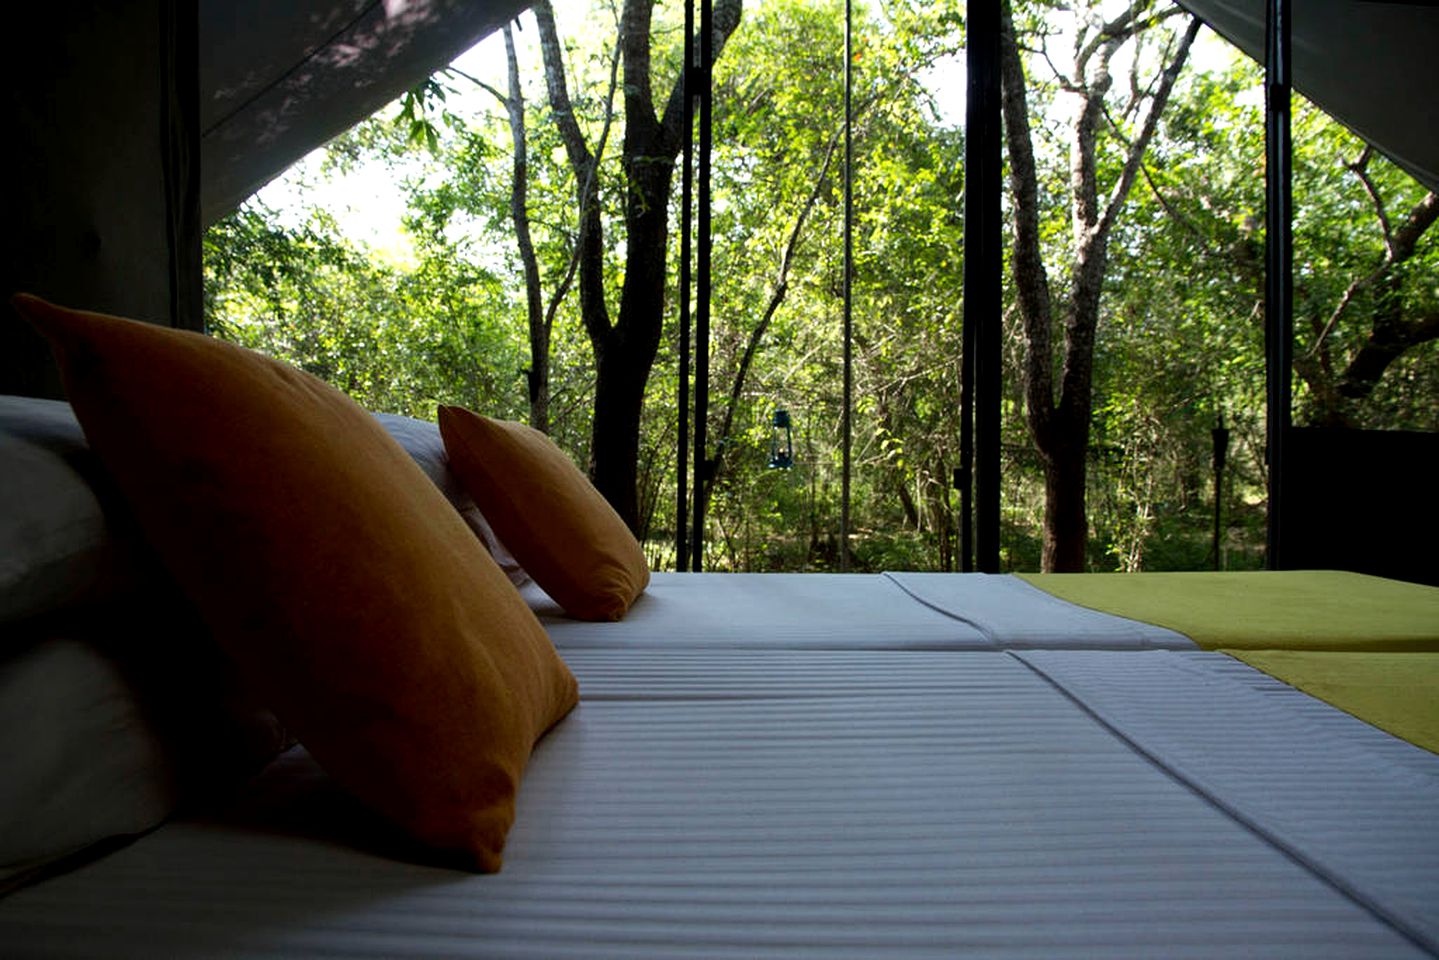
625	346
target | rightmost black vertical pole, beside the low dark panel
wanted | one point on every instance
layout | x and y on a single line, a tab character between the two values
1279	266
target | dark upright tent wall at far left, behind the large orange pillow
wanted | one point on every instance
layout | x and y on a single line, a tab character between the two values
100	207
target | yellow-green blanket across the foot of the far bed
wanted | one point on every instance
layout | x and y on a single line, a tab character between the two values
1266	611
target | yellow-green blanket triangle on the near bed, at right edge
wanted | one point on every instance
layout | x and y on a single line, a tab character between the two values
1398	693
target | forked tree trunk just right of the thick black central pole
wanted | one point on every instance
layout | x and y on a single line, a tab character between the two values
1060	420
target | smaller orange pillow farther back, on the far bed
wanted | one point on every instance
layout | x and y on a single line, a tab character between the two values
562	532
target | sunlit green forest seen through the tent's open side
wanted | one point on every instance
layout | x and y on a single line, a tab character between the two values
536	276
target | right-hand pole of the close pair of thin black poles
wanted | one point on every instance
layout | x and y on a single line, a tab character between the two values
703	90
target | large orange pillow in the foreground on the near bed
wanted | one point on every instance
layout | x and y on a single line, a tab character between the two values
329	566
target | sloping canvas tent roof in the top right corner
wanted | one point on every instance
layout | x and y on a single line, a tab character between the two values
1369	64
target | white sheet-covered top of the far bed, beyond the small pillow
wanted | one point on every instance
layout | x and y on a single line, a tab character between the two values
817	611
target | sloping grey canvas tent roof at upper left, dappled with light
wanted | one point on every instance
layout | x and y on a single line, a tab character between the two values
280	78
